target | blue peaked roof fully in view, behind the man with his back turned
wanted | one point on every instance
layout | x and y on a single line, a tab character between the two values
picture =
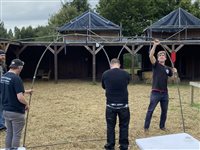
88	20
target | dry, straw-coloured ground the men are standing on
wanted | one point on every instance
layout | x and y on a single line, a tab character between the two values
70	115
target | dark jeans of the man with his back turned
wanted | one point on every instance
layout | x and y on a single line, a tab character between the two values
124	119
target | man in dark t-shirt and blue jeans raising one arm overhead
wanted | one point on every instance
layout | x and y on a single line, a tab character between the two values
159	91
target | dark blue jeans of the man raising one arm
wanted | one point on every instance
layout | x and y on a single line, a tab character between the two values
155	98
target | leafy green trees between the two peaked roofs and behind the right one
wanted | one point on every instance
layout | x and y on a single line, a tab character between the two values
136	15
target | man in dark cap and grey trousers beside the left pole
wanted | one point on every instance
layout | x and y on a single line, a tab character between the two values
14	103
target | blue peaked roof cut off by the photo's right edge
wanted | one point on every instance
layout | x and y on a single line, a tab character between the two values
174	21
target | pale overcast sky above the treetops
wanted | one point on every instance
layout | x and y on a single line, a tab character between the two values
29	12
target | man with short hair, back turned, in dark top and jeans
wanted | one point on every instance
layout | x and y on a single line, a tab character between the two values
115	82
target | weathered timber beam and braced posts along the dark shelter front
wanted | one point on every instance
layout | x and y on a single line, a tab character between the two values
132	47
